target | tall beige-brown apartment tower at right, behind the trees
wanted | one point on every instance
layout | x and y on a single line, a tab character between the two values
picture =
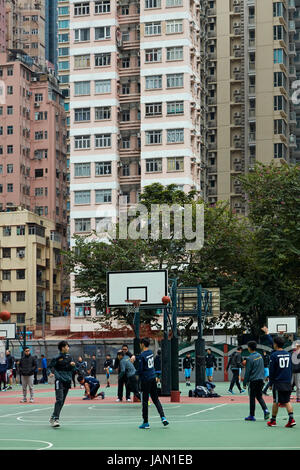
251	51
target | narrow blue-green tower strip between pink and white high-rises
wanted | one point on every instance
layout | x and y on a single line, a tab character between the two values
51	32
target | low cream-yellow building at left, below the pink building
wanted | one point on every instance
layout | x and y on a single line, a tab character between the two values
30	262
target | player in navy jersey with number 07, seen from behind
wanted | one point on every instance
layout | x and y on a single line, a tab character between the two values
280	381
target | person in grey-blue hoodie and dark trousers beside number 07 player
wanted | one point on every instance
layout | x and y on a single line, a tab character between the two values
254	378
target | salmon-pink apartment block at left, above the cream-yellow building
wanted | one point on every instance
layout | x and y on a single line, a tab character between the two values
32	141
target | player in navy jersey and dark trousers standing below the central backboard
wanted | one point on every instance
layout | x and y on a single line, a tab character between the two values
147	376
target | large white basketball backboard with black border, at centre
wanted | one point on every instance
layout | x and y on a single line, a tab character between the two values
147	286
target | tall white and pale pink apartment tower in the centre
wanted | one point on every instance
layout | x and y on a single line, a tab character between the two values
134	107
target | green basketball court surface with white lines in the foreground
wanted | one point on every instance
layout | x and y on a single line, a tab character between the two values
94	425
